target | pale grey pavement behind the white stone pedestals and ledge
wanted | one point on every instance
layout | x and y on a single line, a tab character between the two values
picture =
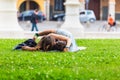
88	27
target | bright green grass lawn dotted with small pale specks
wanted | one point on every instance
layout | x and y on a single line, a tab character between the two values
100	61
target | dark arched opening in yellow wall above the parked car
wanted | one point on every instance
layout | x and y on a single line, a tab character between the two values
28	5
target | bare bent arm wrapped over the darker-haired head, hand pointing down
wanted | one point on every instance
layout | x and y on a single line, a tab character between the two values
64	38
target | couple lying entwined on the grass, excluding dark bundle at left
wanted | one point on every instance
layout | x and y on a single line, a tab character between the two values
59	39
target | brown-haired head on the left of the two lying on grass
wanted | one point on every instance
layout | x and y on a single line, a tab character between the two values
47	43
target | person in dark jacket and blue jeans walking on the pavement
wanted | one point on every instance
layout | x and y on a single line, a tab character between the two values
34	20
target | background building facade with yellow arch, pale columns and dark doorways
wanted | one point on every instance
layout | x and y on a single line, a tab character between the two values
50	7
